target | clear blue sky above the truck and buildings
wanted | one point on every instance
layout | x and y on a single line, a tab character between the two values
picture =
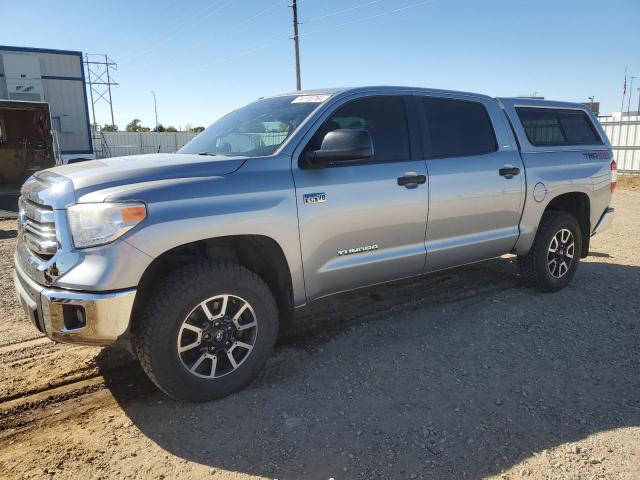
204	58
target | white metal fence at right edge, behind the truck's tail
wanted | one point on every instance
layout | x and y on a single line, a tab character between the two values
624	136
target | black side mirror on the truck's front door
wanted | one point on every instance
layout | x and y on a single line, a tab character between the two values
341	145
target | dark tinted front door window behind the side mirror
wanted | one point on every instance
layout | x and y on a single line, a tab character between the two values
385	119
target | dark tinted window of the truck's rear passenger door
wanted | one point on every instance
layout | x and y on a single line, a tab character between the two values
457	128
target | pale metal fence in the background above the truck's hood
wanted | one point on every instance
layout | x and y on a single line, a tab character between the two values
117	144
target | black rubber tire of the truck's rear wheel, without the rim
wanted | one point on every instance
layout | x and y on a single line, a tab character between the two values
533	267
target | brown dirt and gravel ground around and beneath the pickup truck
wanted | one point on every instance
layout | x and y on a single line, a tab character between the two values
463	374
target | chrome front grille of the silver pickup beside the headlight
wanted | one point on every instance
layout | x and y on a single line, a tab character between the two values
38	228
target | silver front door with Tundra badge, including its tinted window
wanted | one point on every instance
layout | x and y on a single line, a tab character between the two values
361	221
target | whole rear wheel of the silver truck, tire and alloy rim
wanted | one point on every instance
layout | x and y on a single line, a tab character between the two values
553	259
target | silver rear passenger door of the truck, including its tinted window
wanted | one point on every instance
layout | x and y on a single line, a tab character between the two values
476	180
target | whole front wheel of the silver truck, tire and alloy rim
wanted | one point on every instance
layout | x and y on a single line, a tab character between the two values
206	331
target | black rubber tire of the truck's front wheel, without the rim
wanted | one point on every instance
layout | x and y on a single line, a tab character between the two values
157	327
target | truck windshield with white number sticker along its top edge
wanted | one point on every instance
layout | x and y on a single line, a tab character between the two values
255	130
